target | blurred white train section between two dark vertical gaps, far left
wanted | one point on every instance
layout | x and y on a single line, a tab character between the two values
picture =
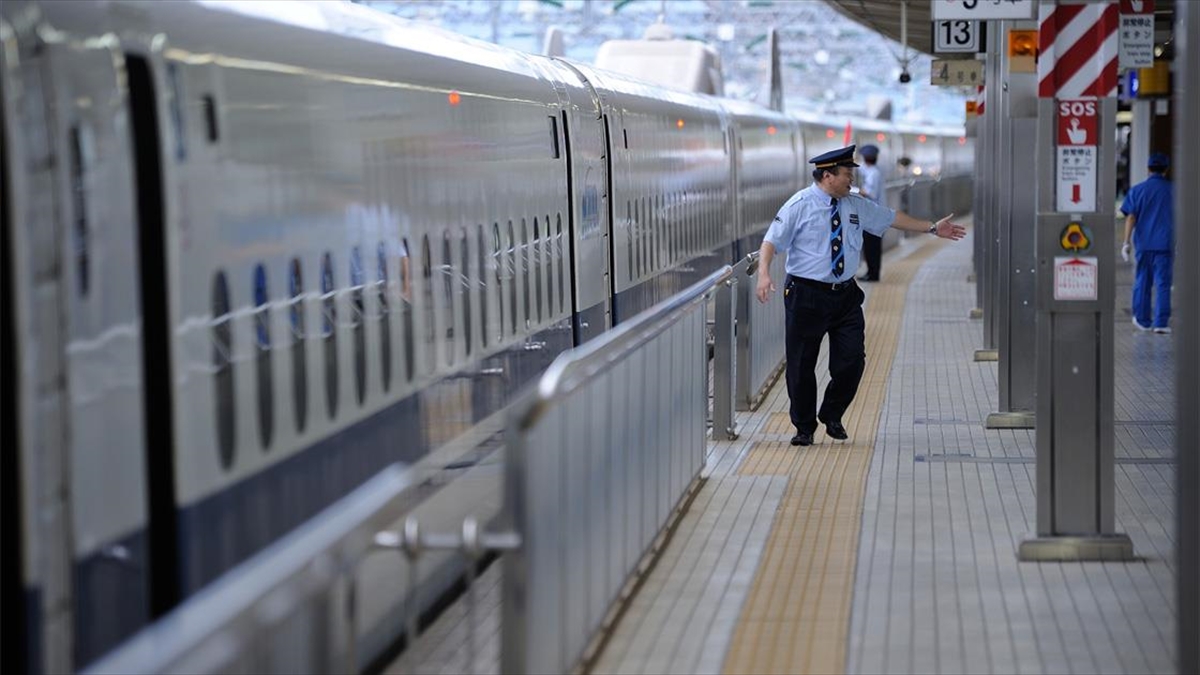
81	356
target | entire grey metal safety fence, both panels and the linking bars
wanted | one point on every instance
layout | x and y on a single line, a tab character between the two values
601	459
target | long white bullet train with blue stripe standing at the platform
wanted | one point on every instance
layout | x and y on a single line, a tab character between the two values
249	262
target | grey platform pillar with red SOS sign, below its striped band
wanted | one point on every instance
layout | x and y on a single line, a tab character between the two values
1077	259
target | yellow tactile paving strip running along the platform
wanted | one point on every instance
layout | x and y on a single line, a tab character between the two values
797	616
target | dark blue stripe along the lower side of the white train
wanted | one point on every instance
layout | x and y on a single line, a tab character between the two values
225	529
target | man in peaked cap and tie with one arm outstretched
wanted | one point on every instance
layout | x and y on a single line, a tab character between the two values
820	230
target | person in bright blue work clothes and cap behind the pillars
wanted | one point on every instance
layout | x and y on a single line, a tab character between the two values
1150	219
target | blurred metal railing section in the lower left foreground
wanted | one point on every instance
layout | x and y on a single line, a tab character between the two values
290	610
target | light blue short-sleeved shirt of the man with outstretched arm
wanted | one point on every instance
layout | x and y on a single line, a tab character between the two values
802	231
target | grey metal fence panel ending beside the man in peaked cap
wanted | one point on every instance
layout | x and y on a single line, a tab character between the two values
602	458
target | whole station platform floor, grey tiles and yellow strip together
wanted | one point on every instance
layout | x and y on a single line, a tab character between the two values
897	552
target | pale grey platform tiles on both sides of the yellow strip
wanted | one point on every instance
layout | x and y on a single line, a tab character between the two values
938	587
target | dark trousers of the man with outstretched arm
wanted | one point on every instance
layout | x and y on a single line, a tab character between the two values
812	314
